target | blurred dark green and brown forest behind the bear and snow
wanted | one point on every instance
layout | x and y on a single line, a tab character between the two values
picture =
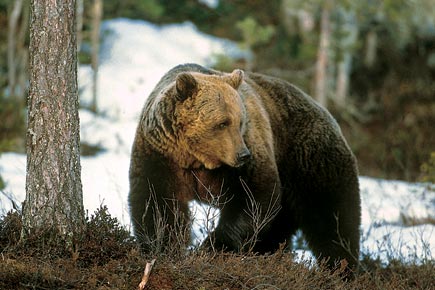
372	63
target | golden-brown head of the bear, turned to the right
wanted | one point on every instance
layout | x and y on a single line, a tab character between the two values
211	119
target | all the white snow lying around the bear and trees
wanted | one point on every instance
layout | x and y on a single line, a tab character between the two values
134	55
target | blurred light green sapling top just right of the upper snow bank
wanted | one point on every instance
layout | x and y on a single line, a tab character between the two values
253	33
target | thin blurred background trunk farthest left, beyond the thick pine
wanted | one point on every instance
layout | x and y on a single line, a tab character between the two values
12	33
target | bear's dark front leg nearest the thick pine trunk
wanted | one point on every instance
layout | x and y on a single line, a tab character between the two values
156	213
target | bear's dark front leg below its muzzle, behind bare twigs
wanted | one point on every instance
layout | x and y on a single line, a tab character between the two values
247	215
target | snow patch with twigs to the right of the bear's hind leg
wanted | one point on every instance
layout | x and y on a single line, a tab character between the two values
395	219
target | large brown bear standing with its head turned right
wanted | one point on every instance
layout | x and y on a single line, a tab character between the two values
252	140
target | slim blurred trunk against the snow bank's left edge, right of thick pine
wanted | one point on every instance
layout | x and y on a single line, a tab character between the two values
95	39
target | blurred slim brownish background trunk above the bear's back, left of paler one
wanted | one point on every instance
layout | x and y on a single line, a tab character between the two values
320	92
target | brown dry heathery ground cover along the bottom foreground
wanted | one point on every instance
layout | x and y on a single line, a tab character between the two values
107	258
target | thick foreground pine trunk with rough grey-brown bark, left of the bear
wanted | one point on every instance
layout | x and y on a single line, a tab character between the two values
54	199
